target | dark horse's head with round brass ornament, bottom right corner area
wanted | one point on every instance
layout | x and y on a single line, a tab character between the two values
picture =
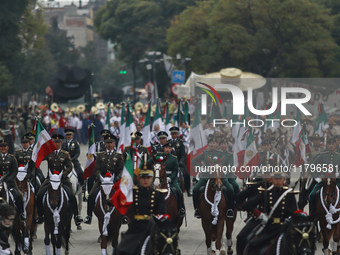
301	233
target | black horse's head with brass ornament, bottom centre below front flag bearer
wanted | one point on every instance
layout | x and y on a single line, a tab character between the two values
165	236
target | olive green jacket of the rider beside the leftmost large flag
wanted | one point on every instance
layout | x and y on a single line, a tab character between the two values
60	162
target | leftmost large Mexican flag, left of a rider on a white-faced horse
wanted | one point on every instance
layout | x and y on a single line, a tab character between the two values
43	145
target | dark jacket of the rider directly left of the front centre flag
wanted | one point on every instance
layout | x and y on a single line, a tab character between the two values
105	163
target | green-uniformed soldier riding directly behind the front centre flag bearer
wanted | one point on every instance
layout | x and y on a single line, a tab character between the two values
171	168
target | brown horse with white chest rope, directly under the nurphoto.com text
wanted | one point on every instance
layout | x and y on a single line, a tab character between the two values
213	209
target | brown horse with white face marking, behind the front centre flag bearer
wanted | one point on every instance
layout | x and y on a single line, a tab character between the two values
161	184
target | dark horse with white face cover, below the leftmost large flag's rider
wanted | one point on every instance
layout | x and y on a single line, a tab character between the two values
57	216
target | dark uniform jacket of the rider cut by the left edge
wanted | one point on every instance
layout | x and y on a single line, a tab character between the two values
8	169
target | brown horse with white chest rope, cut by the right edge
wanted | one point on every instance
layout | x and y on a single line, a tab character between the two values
329	216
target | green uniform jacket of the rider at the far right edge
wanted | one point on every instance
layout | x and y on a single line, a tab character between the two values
322	161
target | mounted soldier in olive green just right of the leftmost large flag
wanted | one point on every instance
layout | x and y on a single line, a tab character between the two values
59	160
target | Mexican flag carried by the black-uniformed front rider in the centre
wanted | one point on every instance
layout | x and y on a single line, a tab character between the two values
122	198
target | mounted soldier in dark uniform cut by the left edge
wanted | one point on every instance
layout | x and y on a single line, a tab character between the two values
8	171
